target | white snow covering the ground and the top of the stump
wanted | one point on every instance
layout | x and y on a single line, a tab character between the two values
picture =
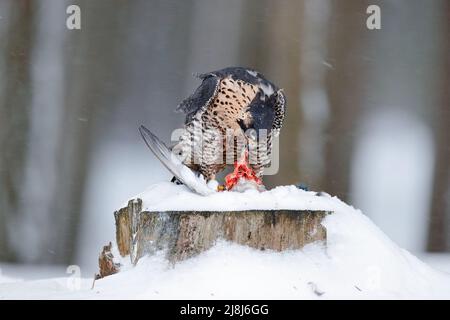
359	261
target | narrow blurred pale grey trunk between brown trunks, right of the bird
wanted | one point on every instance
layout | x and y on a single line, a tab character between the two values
314	99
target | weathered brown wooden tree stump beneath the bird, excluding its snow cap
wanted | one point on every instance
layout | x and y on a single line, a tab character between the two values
183	234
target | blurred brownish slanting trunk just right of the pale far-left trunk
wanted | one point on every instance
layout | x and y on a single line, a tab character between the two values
91	56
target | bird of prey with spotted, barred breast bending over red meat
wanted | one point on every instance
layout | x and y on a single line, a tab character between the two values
231	118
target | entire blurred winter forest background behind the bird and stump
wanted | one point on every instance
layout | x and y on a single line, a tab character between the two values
368	111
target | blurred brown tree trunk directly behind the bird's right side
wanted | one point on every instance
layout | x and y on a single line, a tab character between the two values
272	45
